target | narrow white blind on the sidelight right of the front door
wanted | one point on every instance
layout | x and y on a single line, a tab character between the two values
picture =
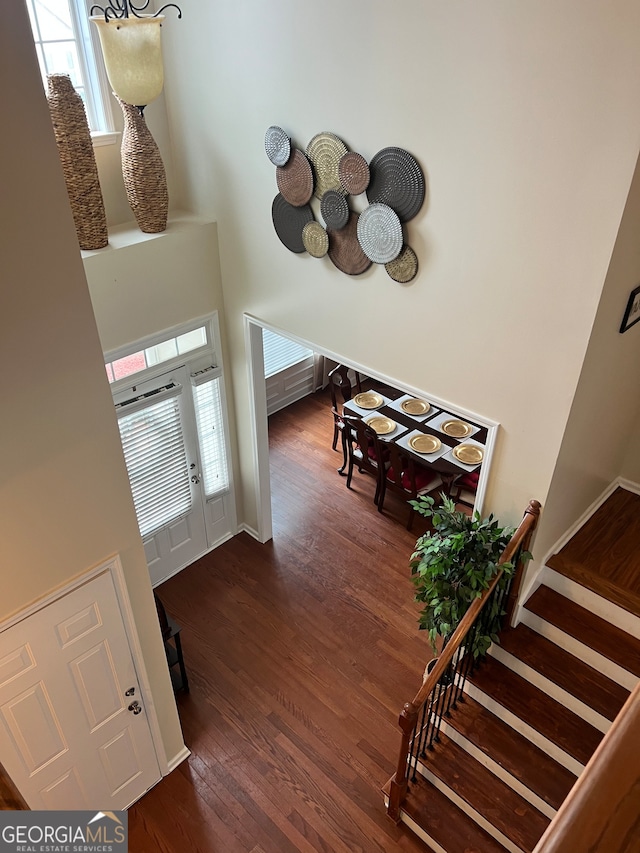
213	455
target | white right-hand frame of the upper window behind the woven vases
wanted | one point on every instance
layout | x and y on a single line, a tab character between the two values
97	86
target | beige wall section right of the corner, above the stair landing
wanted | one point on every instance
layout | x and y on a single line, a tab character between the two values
602	438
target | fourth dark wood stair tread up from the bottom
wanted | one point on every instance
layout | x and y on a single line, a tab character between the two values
551	719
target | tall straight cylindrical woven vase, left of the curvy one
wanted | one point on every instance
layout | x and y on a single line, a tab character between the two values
75	149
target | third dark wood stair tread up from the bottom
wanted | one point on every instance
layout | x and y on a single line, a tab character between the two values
529	764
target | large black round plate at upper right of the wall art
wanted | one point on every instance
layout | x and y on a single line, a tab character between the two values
397	180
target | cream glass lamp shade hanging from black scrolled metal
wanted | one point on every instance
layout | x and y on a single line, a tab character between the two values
133	57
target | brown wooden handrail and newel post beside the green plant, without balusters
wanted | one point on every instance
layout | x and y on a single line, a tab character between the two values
410	712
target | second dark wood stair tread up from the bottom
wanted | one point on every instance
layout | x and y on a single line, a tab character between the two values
488	795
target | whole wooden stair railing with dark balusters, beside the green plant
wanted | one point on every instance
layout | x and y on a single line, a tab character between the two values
420	719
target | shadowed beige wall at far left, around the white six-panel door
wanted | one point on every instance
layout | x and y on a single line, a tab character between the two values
65	501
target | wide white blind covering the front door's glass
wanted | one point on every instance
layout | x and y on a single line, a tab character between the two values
156	460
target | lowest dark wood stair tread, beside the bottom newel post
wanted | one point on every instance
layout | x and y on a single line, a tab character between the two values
444	822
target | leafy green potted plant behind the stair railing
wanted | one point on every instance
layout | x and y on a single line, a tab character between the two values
453	563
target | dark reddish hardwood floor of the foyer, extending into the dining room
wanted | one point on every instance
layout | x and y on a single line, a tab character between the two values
300	654
